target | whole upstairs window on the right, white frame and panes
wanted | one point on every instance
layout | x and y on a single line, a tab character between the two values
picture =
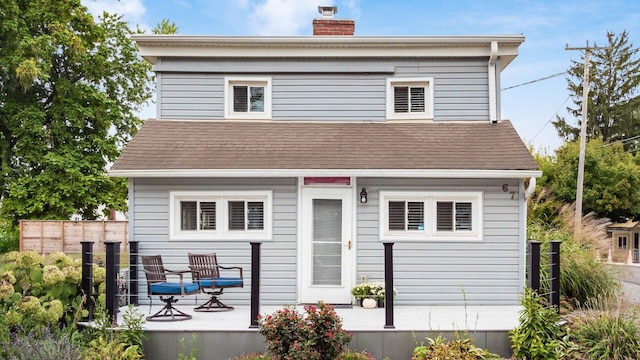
410	98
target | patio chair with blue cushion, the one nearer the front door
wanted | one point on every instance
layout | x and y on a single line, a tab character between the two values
205	272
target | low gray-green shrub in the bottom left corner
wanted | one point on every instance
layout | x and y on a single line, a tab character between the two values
41	344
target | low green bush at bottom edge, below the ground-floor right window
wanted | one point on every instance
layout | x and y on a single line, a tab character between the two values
456	349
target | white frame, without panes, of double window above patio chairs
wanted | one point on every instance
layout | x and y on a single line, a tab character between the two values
222	199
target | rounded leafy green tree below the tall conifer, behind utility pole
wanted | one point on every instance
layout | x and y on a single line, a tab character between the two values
611	178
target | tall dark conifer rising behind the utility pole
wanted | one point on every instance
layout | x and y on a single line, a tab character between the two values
614	82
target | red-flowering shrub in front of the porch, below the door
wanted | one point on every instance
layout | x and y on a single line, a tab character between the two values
316	336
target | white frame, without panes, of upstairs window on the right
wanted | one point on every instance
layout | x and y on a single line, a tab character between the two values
426	82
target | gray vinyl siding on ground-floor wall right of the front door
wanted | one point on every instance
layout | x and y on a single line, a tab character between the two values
487	272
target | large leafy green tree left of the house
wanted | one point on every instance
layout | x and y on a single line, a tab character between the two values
70	88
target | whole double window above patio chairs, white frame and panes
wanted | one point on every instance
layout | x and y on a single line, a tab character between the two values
220	215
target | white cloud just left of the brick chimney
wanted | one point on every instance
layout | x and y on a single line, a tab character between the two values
283	17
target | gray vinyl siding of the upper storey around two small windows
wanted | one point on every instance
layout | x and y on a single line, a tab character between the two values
329	90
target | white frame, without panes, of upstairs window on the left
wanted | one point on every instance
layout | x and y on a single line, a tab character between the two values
231	81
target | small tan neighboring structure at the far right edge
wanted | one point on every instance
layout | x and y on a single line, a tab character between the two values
625	241
